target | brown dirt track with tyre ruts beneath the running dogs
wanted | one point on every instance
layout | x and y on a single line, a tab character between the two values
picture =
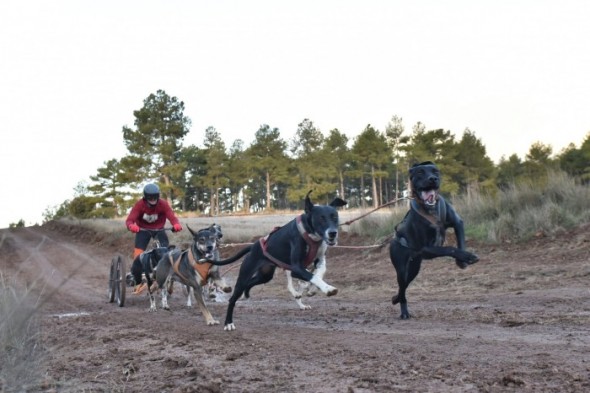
519	320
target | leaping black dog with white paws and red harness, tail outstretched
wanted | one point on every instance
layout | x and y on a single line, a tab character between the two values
293	246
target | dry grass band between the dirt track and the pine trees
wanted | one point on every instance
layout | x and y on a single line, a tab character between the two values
516	214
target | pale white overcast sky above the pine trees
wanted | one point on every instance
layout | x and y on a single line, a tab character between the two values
73	72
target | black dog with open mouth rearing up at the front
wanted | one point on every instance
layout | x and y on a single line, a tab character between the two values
421	234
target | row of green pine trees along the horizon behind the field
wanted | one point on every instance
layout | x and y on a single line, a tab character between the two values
274	173
